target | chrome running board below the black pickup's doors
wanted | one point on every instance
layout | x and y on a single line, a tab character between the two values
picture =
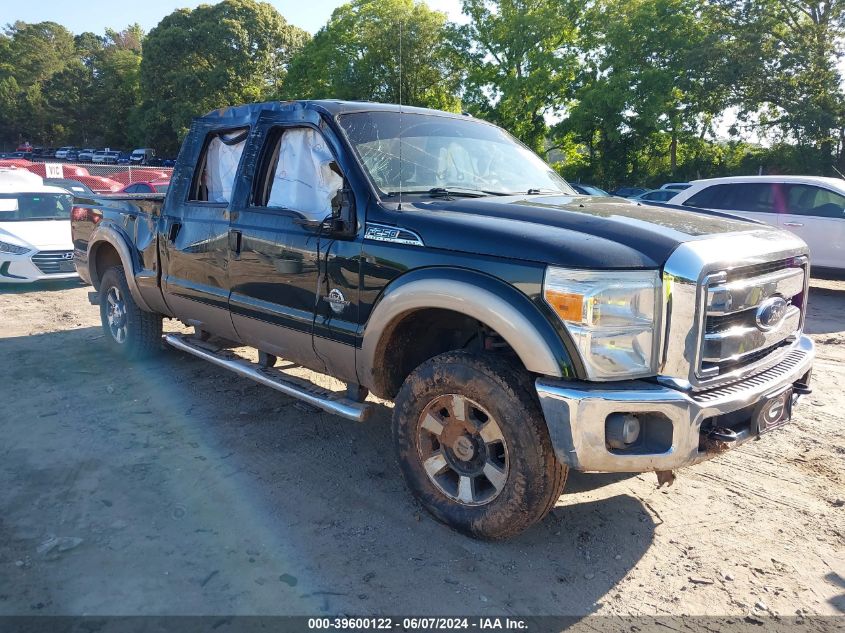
308	392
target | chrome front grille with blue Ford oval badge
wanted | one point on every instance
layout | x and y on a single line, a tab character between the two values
734	335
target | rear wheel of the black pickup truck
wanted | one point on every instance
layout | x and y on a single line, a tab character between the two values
129	330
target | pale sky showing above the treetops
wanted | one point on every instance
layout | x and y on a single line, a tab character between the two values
97	15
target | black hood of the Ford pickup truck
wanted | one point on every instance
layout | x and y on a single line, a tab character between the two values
573	231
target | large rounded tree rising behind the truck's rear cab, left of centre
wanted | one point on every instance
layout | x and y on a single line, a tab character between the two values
232	52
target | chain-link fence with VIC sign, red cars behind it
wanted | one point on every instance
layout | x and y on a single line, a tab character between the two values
99	177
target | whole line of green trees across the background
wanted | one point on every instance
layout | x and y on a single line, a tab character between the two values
610	91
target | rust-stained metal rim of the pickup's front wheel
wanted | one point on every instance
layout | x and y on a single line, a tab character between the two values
462	450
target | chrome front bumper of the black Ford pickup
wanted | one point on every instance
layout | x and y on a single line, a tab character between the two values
576	413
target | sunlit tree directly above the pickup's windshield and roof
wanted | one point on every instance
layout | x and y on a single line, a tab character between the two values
357	56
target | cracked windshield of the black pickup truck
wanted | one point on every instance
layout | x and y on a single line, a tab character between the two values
439	153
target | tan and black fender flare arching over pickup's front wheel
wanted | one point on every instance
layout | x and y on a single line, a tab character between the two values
487	299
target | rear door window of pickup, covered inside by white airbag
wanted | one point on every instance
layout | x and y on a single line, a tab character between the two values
214	179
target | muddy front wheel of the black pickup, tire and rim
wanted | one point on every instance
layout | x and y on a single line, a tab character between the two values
473	445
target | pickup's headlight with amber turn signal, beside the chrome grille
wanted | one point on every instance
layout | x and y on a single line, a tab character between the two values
612	316
